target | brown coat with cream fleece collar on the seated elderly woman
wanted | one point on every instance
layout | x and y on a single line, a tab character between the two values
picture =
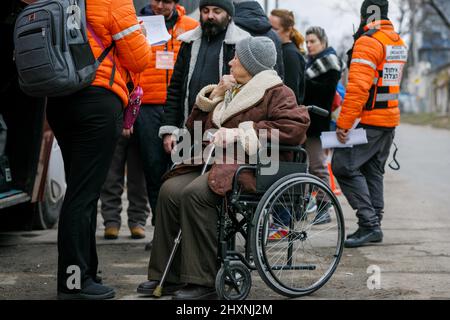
263	103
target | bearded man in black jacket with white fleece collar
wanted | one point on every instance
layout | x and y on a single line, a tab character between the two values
203	59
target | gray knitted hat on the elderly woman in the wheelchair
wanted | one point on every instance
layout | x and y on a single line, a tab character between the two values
256	54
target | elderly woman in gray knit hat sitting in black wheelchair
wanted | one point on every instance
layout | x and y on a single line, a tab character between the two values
211	208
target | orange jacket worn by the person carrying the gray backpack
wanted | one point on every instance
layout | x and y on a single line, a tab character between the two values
116	19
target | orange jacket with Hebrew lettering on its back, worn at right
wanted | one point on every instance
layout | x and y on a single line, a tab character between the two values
374	78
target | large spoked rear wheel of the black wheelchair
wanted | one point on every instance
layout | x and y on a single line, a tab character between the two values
298	235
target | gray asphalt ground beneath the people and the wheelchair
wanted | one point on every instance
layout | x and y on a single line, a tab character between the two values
413	262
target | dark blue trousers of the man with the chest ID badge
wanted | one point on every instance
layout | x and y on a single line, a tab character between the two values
155	161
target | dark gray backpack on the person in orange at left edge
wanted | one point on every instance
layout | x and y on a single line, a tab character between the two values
52	52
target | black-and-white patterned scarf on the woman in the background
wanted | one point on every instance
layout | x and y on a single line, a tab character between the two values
322	63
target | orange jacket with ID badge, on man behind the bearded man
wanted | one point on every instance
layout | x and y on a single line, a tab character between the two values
154	81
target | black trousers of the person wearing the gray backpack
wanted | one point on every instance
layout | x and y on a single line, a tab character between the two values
87	126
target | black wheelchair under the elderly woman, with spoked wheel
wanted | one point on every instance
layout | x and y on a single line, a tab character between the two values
233	280
